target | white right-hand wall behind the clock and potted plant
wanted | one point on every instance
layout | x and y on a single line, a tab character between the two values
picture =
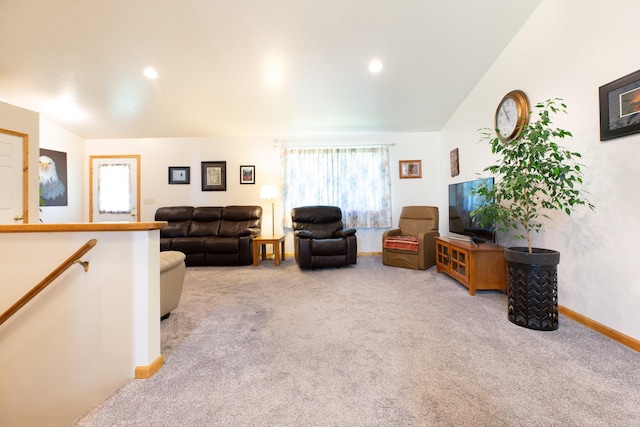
567	49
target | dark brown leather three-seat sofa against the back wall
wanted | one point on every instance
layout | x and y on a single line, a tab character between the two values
210	235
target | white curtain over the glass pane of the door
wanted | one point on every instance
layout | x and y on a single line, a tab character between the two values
114	189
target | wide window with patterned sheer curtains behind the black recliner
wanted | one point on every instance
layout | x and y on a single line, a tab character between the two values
356	179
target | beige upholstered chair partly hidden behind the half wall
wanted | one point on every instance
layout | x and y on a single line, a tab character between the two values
172	270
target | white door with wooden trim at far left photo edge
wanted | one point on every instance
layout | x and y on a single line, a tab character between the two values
14	174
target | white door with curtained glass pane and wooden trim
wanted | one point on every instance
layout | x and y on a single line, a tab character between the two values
114	194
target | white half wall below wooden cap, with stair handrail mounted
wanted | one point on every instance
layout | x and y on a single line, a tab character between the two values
81	338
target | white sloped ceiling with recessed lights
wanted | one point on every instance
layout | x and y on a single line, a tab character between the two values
86	57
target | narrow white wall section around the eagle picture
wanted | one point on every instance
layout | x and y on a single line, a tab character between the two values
53	137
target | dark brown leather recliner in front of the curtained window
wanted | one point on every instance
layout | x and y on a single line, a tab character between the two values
319	238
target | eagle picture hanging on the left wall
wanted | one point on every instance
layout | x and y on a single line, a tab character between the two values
53	178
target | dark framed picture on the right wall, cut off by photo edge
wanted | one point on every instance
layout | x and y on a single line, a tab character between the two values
620	107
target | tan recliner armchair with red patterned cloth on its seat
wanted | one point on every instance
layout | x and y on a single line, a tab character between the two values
412	245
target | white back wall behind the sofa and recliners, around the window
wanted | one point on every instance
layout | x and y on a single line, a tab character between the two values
157	154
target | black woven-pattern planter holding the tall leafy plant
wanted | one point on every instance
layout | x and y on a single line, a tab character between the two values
532	287
